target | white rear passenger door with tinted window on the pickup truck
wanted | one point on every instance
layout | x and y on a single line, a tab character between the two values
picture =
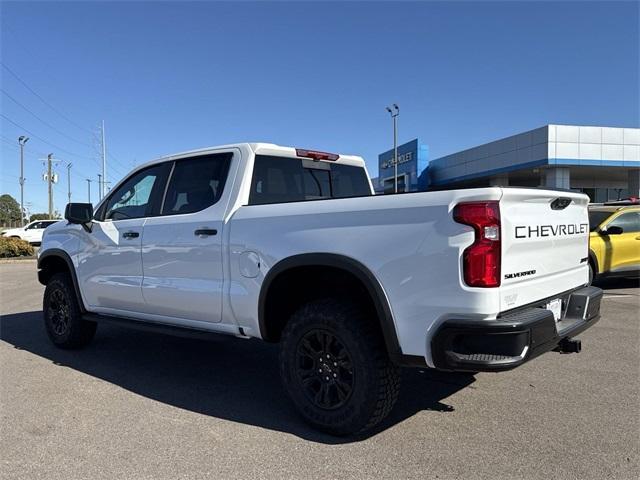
182	247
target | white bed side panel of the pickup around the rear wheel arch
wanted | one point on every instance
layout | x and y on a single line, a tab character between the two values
410	243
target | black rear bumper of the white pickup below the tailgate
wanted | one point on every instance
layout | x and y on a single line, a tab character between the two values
515	338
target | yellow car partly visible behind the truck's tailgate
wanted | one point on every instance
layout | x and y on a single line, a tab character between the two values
614	243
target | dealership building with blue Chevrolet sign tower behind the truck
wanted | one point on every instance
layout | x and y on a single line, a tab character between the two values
603	162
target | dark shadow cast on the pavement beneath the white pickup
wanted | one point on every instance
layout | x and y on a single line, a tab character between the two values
228	378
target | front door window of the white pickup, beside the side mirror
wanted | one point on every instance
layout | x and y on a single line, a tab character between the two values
137	197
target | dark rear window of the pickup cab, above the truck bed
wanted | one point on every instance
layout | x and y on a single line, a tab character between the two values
282	179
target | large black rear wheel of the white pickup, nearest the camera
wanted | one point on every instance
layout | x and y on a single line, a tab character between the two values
335	367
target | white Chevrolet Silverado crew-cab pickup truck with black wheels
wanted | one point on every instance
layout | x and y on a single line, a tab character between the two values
291	246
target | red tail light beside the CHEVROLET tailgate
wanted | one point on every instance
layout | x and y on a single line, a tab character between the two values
481	260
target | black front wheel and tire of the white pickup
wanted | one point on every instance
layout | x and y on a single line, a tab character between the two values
62	315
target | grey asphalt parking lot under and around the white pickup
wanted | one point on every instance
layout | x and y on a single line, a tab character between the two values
139	405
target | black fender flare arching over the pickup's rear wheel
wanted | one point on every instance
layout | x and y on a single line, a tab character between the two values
358	270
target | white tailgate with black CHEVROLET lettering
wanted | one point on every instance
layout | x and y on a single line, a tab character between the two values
545	238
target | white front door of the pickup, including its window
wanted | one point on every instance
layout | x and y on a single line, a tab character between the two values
109	264
